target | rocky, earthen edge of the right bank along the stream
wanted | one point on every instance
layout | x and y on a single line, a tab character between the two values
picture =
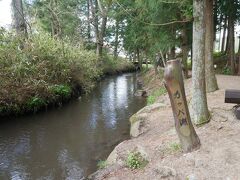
147	79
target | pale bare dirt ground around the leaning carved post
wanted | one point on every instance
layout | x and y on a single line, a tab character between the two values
218	157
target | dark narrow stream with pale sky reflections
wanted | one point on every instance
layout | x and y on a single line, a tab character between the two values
67	143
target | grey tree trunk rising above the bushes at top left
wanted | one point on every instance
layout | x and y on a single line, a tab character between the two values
18	18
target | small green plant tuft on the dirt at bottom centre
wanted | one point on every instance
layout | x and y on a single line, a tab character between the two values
135	160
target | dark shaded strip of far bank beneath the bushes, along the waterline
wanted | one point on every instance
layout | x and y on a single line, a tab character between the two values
59	100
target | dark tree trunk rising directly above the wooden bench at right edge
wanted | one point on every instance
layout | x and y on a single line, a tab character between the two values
231	55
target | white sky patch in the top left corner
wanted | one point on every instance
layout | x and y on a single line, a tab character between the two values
5	13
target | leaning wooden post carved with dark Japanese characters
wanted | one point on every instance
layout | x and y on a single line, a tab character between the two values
175	87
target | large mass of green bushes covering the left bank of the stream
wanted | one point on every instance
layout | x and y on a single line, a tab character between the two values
44	69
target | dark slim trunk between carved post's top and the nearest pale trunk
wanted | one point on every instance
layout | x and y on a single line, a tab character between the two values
185	50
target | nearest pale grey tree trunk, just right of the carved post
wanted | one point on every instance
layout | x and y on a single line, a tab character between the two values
199	98
